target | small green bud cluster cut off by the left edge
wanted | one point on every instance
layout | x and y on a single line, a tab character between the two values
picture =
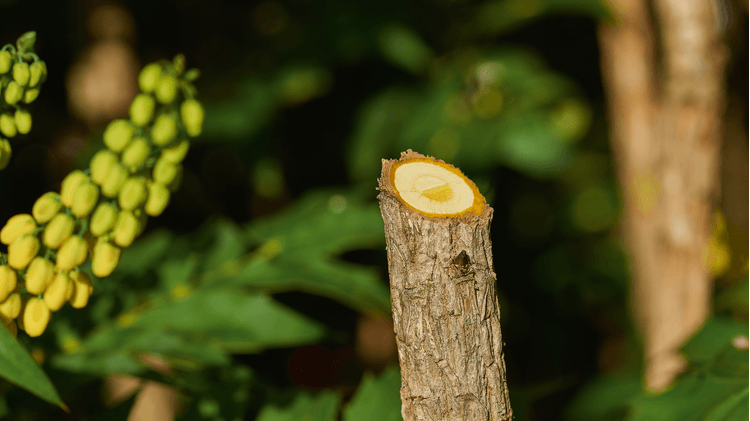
21	76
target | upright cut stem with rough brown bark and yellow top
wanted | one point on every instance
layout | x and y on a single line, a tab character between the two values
445	310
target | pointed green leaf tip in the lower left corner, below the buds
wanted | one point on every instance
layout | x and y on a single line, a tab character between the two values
19	368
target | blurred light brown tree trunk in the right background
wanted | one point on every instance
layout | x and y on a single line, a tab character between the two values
663	74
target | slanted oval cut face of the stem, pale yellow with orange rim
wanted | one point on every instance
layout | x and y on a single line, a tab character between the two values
435	188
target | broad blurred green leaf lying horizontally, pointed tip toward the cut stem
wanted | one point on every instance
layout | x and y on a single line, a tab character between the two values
236	321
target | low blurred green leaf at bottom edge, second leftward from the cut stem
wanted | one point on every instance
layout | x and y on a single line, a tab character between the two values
303	407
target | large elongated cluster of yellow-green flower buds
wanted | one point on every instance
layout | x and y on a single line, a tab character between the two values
103	209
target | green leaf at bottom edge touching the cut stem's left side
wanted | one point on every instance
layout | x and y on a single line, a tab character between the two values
377	398
